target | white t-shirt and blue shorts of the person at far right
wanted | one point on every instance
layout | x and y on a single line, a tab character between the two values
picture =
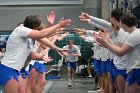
133	58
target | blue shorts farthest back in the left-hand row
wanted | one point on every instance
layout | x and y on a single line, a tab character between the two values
40	67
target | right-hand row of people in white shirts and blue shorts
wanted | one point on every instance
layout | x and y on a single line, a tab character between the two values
116	51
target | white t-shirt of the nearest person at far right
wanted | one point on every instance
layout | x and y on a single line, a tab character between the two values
133	58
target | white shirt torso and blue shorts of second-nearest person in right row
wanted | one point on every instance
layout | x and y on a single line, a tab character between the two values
119	62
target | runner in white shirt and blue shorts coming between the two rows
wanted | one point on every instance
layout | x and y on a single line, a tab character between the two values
71	59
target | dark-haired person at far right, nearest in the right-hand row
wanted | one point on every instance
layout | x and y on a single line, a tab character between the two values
131	48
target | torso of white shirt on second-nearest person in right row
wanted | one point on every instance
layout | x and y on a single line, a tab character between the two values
120	37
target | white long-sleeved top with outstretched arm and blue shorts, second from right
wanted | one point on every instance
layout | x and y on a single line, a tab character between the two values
118	62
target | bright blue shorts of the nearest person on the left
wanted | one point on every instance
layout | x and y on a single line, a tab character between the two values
6	73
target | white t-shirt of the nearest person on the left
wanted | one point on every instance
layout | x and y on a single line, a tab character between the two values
18	48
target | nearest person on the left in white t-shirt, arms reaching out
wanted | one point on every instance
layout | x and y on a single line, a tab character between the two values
18	49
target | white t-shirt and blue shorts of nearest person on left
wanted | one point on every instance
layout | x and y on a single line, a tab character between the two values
18	49
